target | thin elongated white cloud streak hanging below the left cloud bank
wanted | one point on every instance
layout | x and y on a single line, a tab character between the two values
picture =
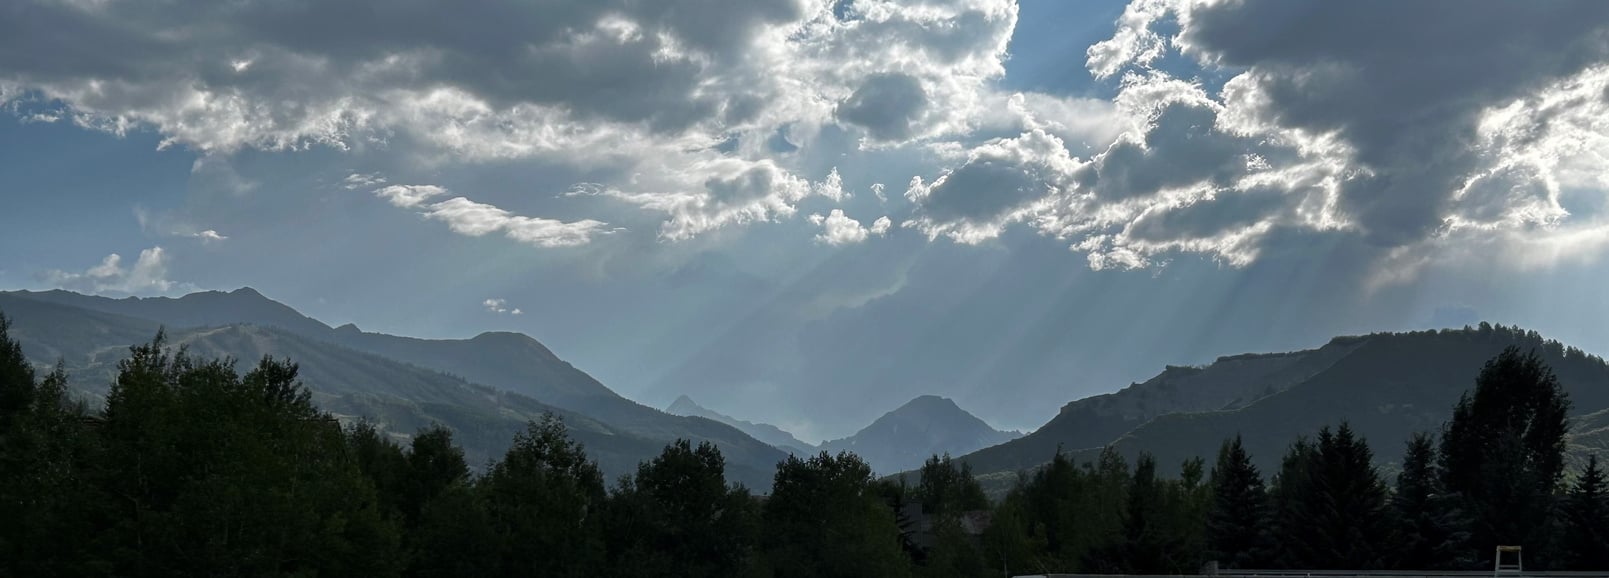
477	220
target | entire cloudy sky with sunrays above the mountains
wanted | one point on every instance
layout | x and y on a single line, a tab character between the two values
807	212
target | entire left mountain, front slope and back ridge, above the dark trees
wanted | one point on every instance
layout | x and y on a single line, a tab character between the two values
485	389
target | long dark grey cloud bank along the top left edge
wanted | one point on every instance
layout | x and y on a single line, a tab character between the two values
635	62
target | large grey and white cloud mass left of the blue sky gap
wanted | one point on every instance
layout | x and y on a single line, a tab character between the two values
683	97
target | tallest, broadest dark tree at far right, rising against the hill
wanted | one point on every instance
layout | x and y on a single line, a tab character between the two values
1504	455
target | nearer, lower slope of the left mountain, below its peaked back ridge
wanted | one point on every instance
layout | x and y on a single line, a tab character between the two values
397	395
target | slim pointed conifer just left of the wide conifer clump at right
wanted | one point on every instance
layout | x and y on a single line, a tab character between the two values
1238	511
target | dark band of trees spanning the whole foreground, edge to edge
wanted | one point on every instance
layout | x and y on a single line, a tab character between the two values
192	468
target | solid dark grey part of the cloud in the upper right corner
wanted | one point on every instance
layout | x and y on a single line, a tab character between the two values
1404	85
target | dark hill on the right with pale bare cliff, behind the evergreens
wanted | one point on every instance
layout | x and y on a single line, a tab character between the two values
1386	386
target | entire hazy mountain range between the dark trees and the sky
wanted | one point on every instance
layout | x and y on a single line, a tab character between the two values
485	389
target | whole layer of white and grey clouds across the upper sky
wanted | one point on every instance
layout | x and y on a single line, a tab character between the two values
1325	123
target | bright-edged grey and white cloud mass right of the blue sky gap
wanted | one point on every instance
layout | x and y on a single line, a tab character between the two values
1414	128
